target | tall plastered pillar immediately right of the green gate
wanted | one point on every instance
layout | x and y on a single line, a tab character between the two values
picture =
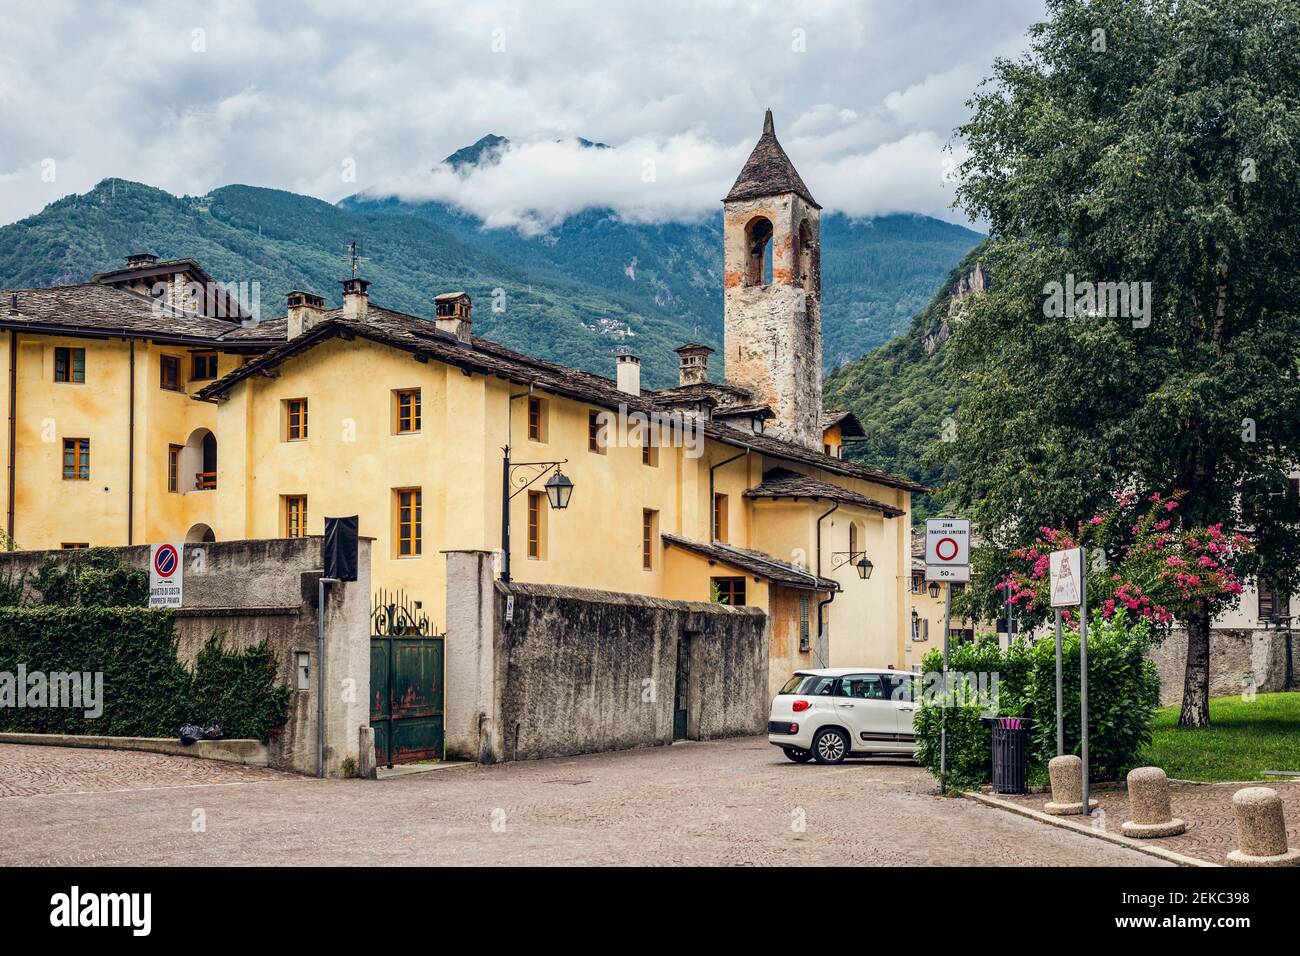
473	706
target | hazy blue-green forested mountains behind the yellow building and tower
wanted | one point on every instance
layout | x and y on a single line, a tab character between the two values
578	295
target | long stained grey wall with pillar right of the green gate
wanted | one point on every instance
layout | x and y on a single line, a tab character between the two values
544	671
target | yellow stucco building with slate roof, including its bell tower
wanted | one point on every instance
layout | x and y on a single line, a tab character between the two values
142	406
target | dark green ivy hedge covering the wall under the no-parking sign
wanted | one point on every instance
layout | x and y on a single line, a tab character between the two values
146	690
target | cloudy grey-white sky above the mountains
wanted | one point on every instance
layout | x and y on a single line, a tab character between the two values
336	98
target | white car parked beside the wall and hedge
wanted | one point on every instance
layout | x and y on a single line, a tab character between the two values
834	713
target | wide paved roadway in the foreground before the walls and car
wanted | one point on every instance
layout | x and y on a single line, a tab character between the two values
733	802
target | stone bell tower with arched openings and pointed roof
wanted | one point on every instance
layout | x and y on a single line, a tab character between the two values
773	291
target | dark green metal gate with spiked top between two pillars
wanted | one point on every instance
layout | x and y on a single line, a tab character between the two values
406	682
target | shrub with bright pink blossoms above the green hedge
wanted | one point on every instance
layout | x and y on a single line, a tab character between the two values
1160	573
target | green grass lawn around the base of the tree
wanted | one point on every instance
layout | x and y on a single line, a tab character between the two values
1245	738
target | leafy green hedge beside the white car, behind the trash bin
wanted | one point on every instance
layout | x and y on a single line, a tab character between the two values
1124	691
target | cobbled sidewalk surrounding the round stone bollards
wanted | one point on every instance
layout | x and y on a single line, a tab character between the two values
1207	808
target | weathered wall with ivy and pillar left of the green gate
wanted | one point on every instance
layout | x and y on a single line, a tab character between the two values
258	591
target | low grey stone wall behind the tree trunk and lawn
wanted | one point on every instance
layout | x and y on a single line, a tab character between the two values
1240	660
